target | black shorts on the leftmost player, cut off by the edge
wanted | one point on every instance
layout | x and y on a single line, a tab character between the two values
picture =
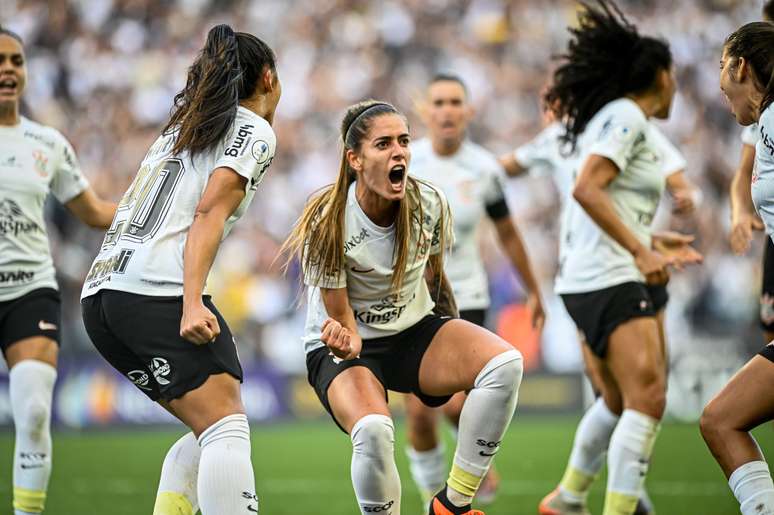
37	313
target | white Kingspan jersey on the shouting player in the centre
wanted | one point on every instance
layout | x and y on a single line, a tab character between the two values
368	259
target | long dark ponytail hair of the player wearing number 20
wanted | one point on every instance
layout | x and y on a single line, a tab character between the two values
226	71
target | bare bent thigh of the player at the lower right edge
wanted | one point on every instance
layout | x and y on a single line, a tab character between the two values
747	400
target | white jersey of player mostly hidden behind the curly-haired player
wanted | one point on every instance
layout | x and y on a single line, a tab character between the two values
544	155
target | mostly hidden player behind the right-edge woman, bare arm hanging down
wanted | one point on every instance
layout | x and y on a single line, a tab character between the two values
744	219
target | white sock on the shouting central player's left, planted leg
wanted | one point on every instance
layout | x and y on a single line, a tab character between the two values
374	473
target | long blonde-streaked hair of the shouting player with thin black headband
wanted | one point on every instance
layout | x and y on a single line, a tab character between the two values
317	239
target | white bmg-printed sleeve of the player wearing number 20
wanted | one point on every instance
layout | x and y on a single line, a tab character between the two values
249	149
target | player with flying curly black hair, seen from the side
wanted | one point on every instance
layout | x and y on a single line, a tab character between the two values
610	82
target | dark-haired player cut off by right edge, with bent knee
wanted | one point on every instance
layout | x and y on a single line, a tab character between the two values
747	79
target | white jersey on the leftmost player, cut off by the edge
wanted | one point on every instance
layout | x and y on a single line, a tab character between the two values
34	160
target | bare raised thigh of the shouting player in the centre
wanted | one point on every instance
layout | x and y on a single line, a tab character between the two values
456	355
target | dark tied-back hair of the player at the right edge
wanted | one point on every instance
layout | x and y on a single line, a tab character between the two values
755	42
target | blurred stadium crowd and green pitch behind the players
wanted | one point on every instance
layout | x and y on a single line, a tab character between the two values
104	72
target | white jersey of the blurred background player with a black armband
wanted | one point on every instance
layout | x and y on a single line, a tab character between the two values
471	179
